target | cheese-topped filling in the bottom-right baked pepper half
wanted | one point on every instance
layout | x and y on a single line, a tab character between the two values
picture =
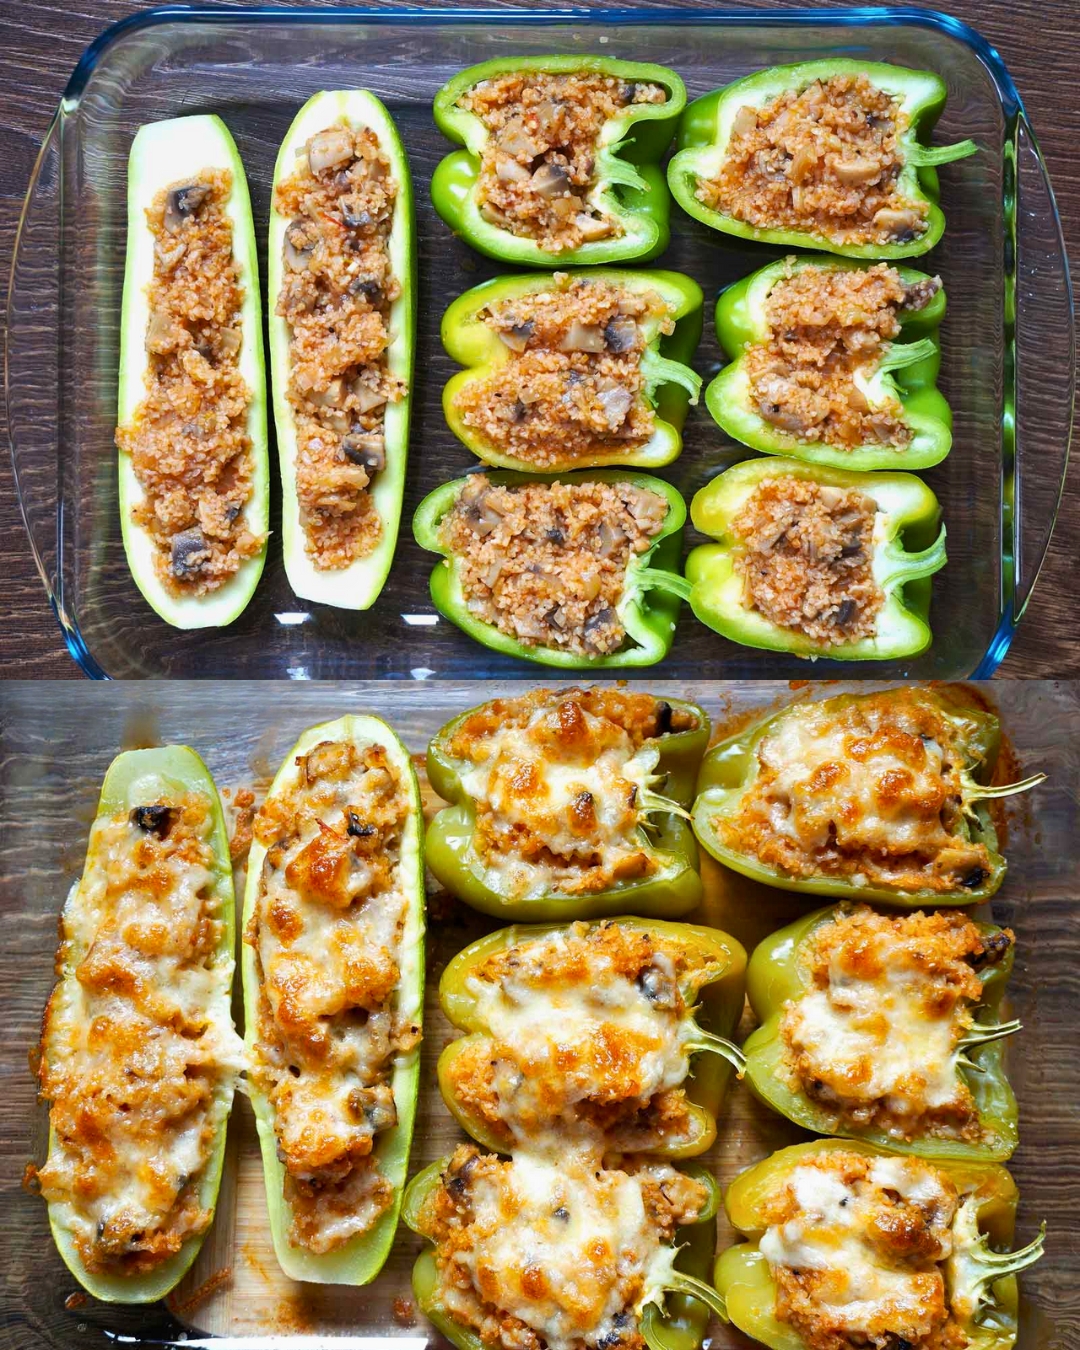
858	1249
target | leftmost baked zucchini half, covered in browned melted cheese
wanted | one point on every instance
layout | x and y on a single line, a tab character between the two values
140	1058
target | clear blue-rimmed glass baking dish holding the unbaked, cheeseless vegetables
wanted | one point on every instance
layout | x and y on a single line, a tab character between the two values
1009	337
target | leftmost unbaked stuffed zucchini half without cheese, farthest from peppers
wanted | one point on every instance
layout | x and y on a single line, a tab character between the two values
194	475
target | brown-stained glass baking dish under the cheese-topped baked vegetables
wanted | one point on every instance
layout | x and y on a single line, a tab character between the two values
53	755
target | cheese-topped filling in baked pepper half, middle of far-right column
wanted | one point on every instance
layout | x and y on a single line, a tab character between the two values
877	1037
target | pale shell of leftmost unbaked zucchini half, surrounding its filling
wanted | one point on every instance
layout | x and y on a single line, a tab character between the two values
167	153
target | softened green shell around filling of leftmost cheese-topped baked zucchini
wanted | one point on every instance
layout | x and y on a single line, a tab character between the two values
134	780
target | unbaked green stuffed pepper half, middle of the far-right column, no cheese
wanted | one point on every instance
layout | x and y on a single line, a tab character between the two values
834	362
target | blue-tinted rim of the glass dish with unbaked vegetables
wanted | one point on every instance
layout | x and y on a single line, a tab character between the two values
842	20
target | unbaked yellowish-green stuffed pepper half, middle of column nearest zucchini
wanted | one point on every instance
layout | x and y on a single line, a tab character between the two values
574	371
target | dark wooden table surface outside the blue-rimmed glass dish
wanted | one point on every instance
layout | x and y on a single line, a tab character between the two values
43	40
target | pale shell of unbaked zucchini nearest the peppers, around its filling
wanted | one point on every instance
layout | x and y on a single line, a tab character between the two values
358	585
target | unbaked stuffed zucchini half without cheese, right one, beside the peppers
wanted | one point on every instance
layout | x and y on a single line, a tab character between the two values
342	304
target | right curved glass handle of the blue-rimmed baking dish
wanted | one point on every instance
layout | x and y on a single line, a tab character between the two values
1040	367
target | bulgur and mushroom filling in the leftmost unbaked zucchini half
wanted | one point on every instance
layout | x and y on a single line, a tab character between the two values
188	438
